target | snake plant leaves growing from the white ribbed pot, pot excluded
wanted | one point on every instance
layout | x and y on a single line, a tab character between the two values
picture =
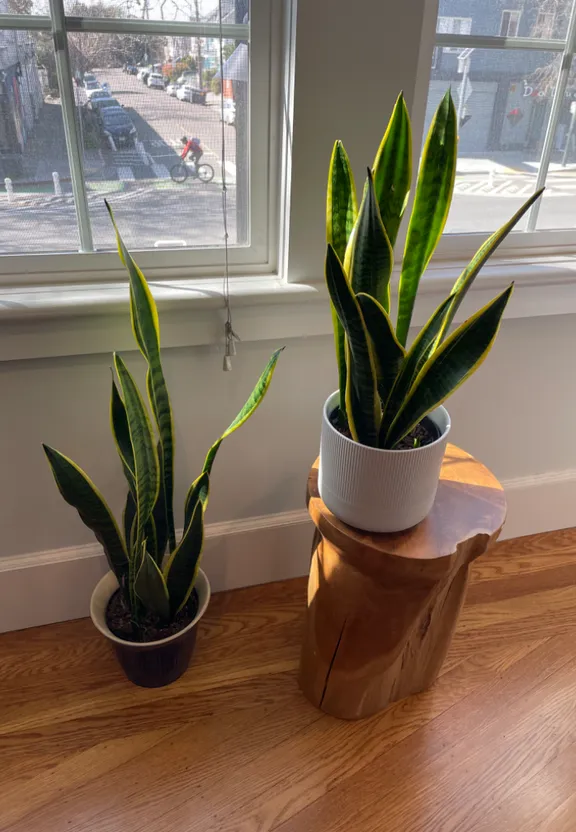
387	386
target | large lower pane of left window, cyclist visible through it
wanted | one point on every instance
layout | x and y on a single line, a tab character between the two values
133	121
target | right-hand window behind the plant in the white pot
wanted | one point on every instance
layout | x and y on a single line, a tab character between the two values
515	110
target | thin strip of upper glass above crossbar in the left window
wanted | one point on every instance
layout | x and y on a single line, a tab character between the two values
202	11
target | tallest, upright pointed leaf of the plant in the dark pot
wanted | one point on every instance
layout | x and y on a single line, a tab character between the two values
146	329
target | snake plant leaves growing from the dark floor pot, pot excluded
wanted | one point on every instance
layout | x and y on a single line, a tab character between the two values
155	572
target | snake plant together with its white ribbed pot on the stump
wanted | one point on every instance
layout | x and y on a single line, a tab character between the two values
384	431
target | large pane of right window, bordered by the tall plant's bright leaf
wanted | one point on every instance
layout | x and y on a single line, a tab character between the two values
503	99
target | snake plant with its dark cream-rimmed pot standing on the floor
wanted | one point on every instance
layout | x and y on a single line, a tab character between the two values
149	603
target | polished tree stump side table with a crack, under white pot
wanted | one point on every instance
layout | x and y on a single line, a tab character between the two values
382	608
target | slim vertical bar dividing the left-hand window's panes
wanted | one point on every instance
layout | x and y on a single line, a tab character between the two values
73	143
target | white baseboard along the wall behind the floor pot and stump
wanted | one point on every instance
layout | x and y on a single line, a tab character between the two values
44	587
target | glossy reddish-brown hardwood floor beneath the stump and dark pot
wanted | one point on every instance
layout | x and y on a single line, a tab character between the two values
234	746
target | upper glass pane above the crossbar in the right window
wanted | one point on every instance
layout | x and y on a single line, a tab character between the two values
505	18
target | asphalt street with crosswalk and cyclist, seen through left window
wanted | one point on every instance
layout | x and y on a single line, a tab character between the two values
151	209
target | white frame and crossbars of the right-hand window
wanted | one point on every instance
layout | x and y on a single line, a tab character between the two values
530	242
